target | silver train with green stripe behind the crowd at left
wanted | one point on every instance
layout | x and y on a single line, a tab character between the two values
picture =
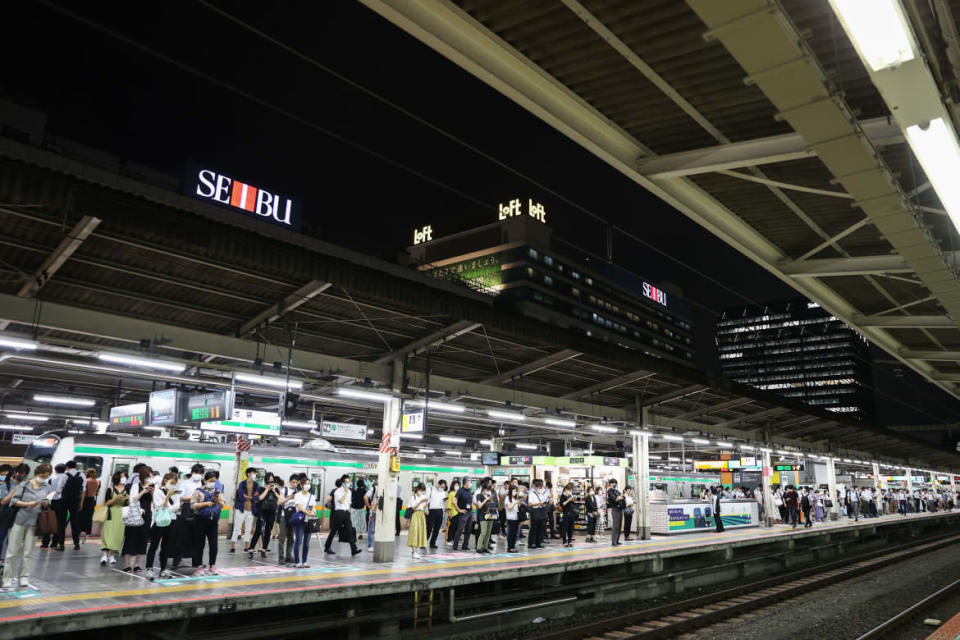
110	453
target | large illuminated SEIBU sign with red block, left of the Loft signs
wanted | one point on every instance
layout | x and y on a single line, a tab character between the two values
230	192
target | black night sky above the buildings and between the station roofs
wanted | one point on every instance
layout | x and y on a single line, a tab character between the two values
107	93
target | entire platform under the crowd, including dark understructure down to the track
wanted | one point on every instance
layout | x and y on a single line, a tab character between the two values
74	593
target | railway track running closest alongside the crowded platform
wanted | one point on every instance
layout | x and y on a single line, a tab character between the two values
684	616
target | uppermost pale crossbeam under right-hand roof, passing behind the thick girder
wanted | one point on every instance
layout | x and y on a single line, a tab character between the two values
751	153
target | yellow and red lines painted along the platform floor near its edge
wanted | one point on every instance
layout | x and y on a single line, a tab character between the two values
307	575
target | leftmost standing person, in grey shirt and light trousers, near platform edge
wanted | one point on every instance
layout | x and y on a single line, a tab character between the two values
28	499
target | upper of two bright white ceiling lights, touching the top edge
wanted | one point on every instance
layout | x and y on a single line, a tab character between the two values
878	30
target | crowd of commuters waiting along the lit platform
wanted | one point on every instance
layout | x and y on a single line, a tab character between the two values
154	521
